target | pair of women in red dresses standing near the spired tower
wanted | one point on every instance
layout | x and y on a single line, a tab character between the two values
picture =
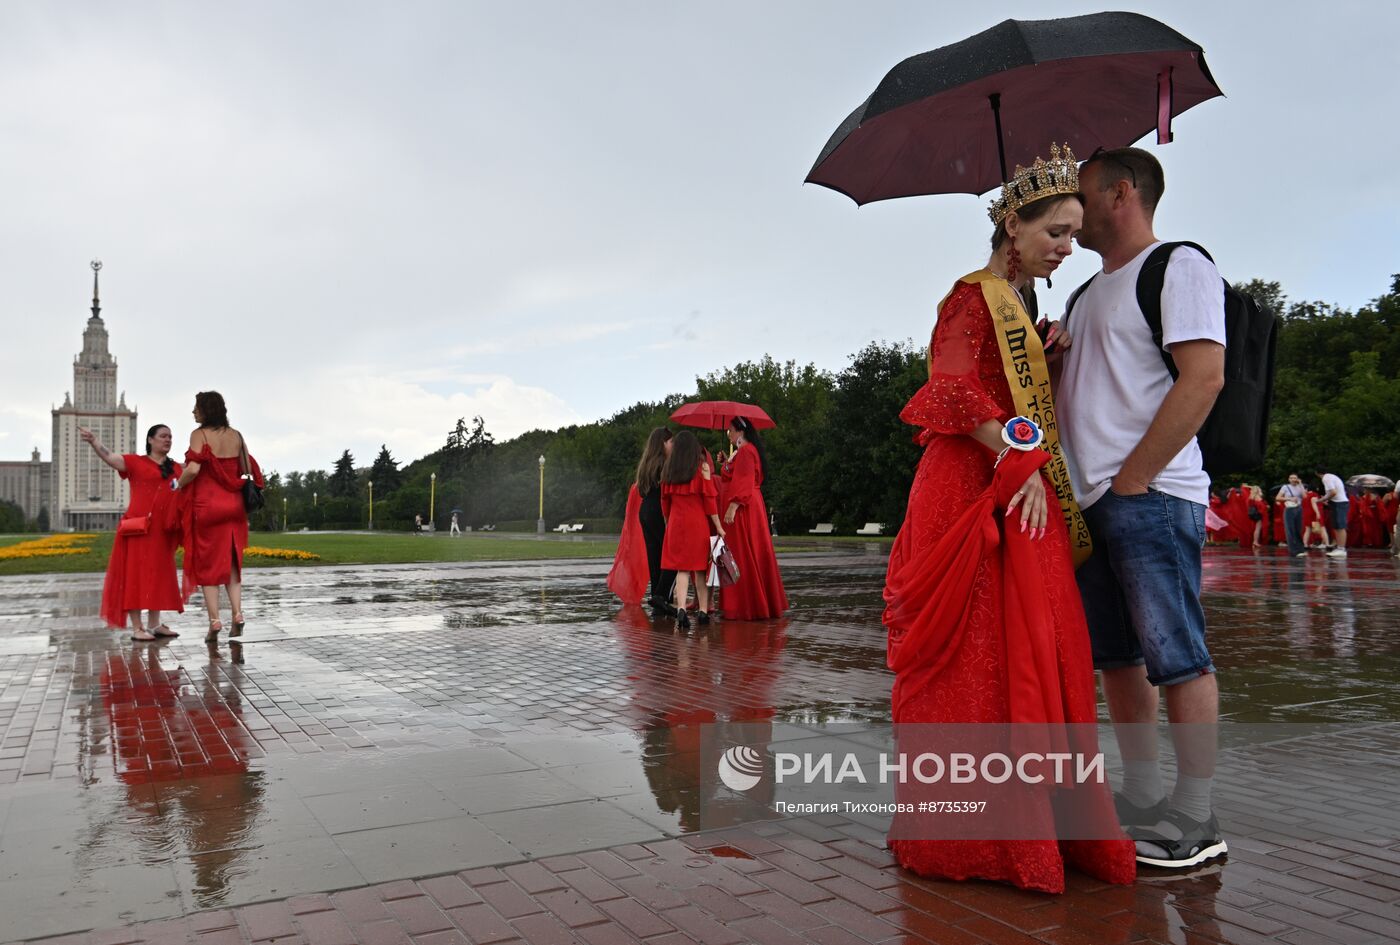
198	506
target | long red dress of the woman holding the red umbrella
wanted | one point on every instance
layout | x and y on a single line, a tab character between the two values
759	594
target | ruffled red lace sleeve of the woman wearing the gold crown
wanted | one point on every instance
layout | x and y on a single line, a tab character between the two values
955	401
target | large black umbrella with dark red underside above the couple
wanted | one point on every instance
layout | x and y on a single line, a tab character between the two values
951	121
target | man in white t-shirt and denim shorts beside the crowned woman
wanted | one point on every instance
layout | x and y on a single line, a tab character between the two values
1130	437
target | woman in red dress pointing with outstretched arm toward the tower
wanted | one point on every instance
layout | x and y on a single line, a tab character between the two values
141	575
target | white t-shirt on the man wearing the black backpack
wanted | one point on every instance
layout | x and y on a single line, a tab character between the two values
1114	379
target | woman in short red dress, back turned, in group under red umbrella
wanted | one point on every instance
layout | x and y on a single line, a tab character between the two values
688	499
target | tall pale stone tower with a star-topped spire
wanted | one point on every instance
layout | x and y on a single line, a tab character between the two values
87	495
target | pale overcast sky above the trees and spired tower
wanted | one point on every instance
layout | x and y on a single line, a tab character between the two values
363	220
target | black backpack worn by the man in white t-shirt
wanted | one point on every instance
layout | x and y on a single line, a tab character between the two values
1235	435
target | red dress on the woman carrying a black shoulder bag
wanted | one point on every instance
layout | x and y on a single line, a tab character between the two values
216	524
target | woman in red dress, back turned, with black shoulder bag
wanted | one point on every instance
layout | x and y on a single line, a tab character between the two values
216	524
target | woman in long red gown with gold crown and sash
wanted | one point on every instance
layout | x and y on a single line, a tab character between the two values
960	649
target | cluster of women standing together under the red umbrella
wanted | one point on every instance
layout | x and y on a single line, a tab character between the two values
681	502
